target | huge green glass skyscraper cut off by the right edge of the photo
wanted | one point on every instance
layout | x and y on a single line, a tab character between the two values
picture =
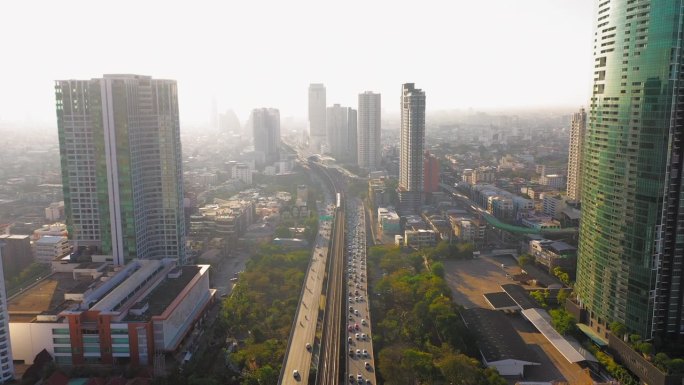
630	247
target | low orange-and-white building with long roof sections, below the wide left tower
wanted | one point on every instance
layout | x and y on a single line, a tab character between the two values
99	313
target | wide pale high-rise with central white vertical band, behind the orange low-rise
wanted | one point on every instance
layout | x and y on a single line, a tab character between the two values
119	139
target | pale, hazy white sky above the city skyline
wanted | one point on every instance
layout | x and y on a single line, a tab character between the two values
247	53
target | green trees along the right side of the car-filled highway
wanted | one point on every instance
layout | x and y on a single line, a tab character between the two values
420	338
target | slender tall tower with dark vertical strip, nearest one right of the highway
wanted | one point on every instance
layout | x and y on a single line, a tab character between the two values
411	152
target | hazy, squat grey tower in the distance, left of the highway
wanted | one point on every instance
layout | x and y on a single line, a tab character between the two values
266	131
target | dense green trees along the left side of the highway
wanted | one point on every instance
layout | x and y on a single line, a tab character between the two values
260	311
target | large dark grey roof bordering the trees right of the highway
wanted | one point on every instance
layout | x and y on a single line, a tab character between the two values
496	337
